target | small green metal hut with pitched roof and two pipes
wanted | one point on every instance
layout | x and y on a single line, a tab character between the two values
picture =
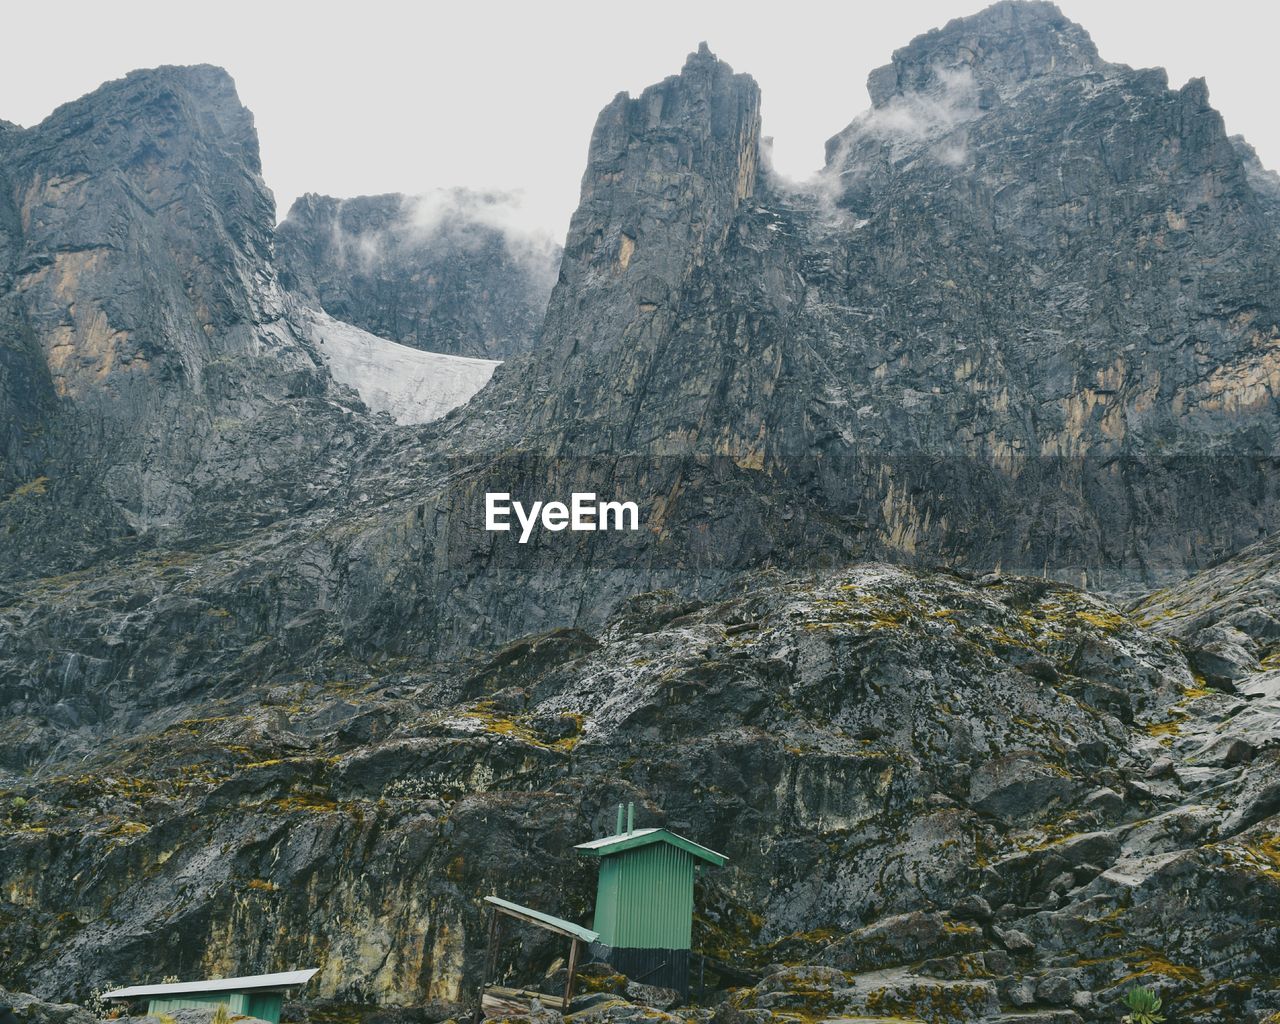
644	902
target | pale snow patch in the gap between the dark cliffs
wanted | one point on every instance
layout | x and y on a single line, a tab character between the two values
414	387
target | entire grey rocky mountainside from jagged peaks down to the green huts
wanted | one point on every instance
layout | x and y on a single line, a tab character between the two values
272	694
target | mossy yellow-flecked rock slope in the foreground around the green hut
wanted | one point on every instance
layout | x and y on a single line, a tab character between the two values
941	797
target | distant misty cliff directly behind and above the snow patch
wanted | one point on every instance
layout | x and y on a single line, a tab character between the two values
450	272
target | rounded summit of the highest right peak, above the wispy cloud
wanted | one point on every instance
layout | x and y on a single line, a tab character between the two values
1002	47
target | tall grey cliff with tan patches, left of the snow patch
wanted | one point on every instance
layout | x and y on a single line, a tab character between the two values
149	364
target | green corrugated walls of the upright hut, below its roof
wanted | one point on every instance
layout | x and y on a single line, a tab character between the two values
646	899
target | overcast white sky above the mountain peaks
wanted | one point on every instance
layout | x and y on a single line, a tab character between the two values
376	97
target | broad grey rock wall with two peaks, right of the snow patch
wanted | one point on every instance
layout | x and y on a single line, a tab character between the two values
794	376
